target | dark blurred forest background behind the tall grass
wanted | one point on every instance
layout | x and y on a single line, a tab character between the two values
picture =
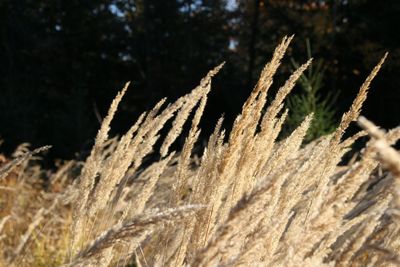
63	61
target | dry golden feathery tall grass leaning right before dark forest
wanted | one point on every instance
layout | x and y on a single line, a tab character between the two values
248	199
